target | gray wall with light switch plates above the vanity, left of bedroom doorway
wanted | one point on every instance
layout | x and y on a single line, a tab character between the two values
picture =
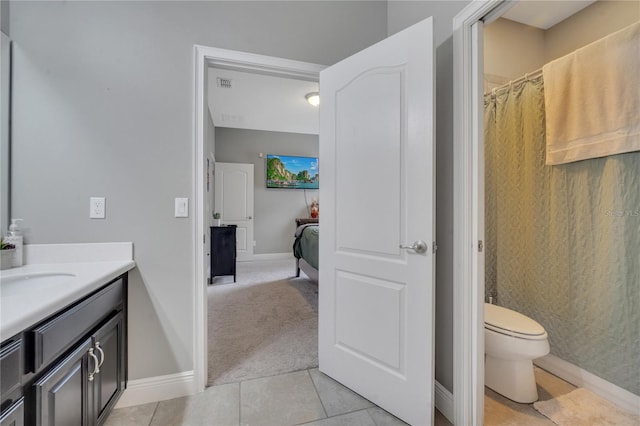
103	106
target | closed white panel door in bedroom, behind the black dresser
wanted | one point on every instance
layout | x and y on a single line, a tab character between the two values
234	201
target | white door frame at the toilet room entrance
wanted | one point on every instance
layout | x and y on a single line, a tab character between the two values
468	221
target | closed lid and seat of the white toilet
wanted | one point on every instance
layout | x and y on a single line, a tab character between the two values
506	321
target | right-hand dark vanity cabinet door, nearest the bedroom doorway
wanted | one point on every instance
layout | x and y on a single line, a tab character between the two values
108	342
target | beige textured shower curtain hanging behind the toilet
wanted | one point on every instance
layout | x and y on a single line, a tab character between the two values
563	242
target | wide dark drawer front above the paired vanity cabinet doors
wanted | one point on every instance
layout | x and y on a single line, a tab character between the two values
55	336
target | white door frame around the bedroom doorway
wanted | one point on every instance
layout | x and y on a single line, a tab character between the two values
203	58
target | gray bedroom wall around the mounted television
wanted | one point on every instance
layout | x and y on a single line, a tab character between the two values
274	209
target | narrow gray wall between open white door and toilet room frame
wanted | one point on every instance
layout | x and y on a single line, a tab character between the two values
402	14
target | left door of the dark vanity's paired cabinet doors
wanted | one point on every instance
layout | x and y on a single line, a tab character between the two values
62	395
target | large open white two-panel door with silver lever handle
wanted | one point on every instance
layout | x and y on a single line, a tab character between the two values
376	326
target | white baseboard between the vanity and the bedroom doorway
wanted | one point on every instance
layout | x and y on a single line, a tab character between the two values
157	388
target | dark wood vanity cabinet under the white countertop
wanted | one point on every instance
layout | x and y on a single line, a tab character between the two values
75	363
